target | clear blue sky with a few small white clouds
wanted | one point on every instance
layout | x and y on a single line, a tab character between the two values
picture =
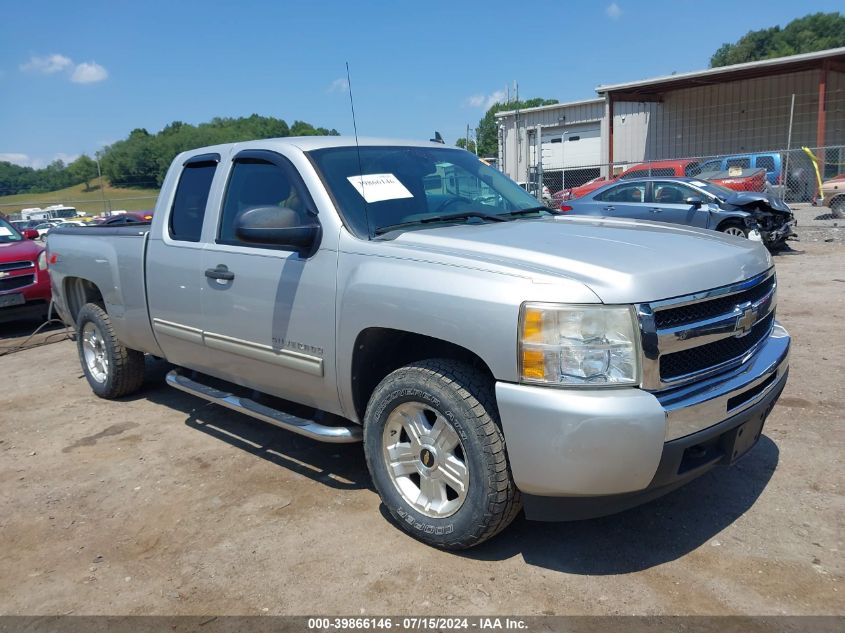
75	76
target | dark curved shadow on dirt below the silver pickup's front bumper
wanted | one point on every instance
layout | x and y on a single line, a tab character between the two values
643	537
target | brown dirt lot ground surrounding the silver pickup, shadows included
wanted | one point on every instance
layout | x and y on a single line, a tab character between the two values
163	504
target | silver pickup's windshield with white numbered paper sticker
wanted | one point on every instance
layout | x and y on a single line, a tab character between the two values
412	184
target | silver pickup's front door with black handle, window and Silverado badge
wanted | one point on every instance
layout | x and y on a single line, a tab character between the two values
269	320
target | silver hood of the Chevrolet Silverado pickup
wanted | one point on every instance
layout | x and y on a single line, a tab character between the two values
621	261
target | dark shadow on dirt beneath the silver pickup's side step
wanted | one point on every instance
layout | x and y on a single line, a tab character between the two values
339	466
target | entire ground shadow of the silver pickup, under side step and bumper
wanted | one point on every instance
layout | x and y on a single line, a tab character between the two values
658	532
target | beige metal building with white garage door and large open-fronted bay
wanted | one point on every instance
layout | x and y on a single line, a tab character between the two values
774	104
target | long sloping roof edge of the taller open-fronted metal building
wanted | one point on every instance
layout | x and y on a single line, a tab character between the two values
724	73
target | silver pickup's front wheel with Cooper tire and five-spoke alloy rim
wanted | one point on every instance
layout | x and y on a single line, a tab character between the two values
445	404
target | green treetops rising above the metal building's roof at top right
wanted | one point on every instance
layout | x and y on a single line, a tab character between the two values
814	32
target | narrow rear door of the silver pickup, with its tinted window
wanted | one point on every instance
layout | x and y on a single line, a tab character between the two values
175	282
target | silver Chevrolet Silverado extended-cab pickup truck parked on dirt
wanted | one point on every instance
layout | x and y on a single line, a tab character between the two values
491	355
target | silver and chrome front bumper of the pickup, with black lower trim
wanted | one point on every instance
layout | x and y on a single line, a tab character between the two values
582	453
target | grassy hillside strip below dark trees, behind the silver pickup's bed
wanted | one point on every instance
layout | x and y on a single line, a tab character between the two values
90	202
